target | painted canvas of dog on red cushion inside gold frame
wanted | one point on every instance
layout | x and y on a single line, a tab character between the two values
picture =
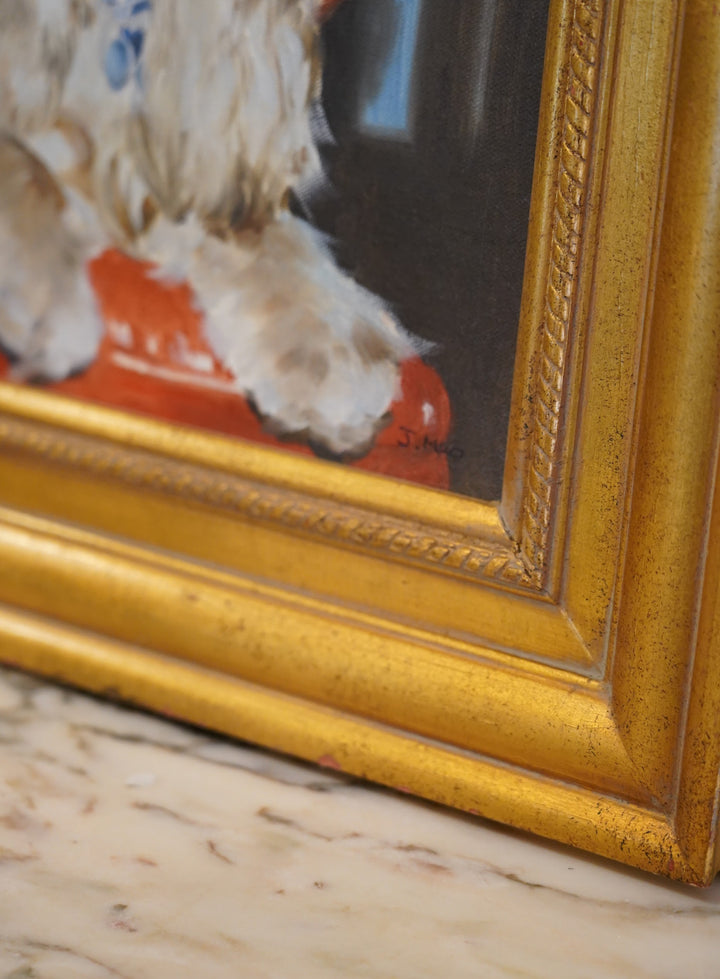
300	222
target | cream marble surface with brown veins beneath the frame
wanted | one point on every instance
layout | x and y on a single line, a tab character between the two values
132	847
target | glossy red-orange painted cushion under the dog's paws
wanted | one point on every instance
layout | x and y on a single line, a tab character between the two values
154	359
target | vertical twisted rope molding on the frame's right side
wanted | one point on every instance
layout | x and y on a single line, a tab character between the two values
567	230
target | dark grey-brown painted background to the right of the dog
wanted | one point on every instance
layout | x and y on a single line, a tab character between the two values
434	218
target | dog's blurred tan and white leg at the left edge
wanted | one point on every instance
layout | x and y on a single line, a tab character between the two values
48	319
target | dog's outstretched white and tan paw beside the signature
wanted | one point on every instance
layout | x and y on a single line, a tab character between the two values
317	355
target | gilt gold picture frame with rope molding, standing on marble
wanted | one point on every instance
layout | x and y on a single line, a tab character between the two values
550	661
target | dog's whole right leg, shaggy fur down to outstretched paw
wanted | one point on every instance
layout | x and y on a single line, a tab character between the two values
220	134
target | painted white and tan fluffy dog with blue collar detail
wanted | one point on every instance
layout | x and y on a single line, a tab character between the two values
175	129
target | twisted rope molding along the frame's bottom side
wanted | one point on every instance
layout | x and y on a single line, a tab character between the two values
344	525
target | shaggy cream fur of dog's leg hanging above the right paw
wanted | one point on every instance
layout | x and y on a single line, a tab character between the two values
221	126
